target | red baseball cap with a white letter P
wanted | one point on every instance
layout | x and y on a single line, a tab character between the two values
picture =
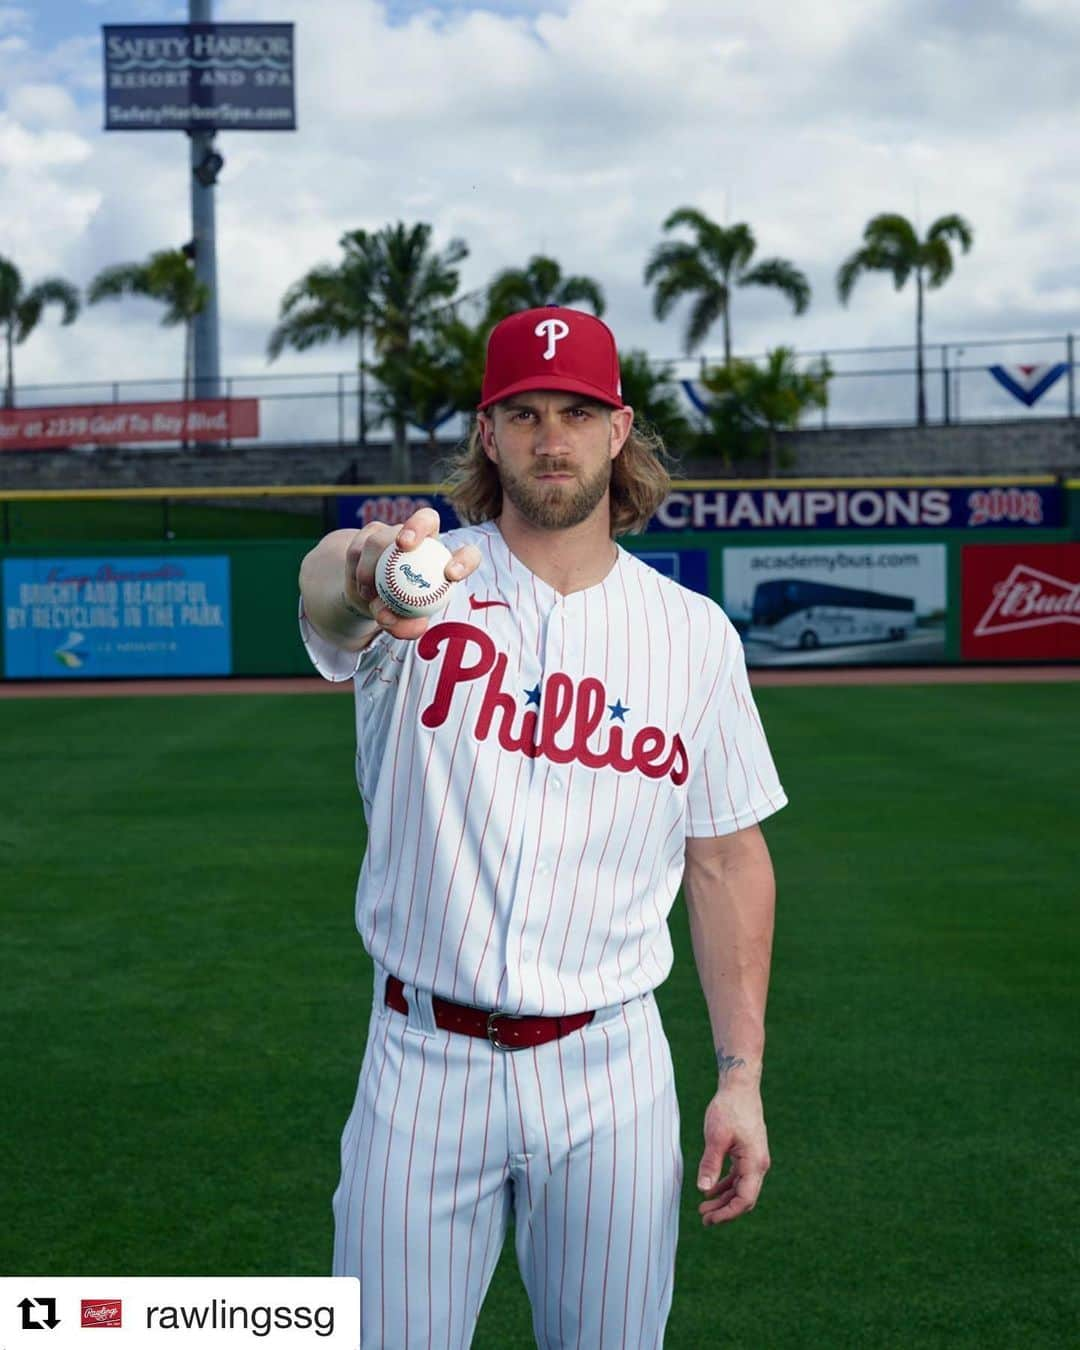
553	349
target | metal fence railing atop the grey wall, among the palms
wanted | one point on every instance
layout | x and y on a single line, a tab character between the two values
870	387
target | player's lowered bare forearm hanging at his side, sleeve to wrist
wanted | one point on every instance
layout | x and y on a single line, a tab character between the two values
731	900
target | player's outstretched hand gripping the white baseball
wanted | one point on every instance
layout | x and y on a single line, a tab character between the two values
362	562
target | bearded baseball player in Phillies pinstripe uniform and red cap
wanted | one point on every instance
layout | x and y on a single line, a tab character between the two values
541	766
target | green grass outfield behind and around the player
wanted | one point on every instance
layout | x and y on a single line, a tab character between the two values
184	1008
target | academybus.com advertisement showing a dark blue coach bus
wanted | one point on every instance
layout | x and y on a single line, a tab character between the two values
838	607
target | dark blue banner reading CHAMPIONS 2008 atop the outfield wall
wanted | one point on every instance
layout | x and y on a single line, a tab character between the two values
882	507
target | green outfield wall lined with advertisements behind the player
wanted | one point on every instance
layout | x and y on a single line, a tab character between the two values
813	573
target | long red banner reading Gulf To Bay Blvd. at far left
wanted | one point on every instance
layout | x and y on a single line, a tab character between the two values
129	425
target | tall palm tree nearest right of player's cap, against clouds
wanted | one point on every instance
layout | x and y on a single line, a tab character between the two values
708	269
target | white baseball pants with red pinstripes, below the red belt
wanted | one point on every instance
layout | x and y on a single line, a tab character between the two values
449	1137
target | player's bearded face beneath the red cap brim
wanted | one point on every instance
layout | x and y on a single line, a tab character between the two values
554	454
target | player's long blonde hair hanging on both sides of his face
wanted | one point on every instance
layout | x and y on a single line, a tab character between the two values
641	481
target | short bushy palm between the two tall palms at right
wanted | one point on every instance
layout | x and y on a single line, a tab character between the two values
754	404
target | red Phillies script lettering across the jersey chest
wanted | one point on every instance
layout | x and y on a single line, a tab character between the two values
576	709
